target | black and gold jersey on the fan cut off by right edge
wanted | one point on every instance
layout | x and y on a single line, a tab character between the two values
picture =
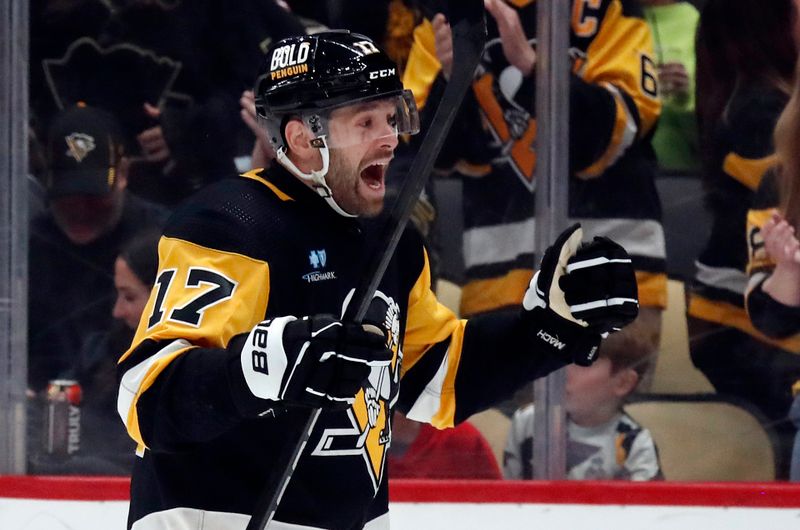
775	320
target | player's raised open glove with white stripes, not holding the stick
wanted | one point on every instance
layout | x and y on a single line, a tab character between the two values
579	294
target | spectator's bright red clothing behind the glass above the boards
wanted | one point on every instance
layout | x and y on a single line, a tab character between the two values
422	451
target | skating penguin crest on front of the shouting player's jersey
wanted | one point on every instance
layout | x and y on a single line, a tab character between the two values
370	432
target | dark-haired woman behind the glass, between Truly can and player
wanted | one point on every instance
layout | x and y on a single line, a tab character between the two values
105	447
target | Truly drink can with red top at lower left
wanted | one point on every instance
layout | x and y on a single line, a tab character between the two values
62	417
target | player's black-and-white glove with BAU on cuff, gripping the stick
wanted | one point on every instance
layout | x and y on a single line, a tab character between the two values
315	361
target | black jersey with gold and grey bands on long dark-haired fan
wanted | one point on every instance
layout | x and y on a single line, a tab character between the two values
741	151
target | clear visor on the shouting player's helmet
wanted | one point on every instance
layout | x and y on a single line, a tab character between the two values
367	122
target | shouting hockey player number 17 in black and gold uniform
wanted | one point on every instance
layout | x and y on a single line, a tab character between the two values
242	332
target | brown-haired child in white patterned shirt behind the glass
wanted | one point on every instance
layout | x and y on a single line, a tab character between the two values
603	442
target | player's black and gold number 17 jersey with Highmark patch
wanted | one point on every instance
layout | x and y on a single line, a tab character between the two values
261	246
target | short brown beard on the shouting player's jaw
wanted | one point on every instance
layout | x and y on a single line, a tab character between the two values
344	179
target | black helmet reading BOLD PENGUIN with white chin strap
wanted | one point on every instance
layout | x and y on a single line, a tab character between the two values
309	76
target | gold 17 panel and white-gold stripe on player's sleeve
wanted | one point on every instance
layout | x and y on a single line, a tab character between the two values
228	296
